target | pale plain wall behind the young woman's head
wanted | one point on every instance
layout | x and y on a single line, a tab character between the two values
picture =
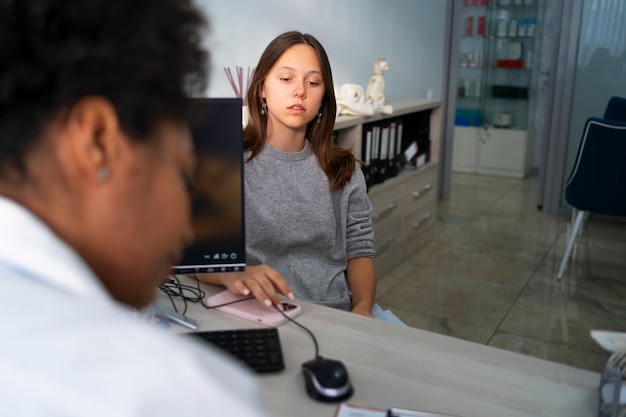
410	34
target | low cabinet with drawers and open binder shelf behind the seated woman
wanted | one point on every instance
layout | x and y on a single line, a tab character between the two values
409	198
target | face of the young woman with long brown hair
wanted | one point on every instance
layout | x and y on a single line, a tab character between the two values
294	88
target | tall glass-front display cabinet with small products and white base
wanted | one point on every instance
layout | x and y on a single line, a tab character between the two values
495	86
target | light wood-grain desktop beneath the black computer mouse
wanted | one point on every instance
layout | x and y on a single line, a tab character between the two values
391	365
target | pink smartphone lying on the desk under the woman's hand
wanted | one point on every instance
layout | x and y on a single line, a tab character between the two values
251	309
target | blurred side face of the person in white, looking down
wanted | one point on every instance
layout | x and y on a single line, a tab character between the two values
148	222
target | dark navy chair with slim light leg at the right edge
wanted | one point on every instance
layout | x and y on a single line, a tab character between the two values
597	183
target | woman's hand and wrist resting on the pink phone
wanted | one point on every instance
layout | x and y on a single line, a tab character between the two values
261	281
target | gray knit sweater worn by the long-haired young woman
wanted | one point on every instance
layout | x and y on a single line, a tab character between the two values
298	227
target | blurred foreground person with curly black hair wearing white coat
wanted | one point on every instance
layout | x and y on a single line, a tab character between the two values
95	158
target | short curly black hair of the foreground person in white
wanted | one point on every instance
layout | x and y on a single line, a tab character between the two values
144	56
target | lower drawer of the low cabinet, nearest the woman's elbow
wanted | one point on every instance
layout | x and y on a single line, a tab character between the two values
388	244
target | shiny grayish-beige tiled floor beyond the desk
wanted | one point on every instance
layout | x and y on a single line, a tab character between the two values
489	276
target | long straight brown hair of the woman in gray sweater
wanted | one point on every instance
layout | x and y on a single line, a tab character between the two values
338	163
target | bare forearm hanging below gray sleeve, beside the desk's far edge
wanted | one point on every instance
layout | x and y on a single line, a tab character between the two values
361	276
